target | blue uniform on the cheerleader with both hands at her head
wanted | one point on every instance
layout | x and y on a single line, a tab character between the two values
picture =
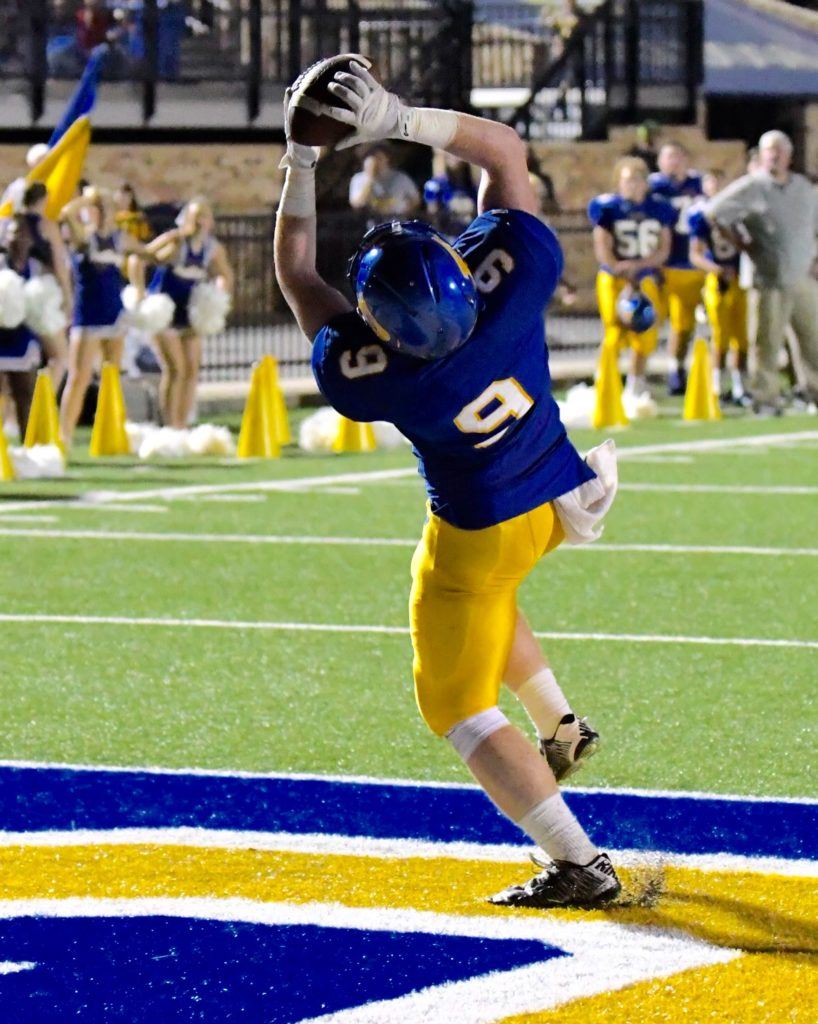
98	284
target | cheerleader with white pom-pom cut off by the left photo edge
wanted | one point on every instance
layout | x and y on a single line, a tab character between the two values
20	351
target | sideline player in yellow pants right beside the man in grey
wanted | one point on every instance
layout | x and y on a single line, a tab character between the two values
714	250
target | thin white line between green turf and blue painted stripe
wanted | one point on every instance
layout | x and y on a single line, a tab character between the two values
218	774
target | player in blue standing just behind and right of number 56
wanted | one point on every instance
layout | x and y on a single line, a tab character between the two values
683	283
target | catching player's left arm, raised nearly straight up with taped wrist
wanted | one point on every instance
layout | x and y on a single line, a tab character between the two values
313	302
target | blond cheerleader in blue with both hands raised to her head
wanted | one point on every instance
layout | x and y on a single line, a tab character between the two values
101	254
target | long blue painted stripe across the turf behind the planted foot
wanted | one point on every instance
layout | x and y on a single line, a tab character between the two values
37	799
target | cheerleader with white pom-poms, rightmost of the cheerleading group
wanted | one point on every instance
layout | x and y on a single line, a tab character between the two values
189	257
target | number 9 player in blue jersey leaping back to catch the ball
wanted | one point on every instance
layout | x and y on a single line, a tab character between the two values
448	343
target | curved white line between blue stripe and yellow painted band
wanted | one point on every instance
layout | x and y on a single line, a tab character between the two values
392	849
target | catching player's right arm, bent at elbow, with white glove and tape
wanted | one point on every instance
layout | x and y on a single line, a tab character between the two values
377	114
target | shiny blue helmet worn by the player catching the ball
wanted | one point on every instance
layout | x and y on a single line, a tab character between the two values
414	289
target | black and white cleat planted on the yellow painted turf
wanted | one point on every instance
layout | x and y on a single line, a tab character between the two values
565	884
